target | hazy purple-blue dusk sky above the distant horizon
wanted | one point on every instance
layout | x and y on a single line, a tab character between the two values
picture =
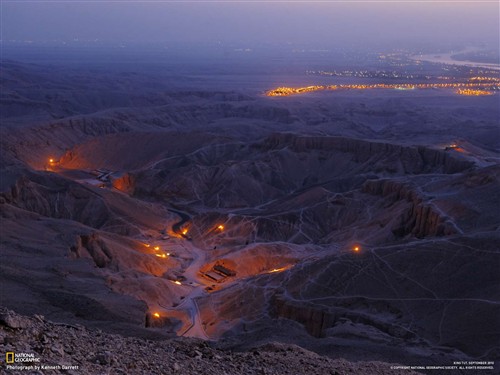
253	22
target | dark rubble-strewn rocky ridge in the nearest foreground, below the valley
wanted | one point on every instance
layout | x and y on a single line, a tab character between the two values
94	352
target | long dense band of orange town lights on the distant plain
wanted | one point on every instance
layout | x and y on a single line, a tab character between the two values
286	91
